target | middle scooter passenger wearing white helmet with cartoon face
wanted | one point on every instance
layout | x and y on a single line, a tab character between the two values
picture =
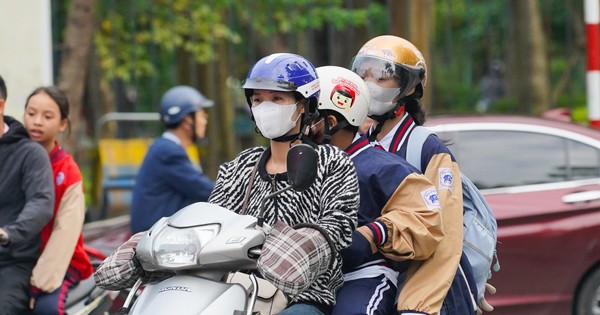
399	214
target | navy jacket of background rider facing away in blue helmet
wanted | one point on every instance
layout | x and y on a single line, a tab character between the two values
167	181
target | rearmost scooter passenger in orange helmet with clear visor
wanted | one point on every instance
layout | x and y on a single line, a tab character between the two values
396	74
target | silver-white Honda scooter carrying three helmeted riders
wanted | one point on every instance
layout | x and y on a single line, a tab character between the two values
201	244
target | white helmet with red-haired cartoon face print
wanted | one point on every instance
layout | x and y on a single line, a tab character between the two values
345	92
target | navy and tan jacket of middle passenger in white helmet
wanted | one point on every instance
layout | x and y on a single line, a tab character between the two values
399	205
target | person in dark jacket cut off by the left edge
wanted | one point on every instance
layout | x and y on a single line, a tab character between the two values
26	201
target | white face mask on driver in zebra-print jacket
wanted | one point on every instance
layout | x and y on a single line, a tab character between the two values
274	120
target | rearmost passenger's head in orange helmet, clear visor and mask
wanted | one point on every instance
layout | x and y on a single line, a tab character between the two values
385	58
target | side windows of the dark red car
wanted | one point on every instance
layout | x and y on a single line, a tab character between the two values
494	159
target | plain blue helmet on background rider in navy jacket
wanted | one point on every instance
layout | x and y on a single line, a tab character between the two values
179	101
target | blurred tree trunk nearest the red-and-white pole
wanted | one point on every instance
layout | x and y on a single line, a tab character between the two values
528	58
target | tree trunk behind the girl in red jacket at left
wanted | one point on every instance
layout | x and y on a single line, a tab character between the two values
74	64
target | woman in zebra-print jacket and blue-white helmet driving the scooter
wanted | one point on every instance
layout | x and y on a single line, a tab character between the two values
282	91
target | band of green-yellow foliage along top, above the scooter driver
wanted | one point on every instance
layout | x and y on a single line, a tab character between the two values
133	34
